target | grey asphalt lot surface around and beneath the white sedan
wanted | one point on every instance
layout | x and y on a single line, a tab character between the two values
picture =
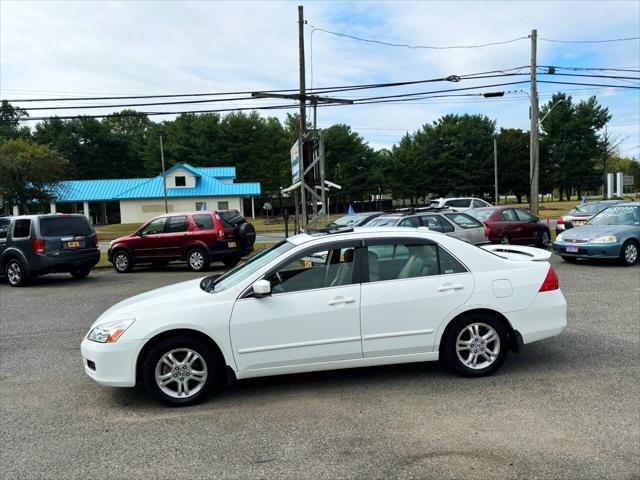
566	407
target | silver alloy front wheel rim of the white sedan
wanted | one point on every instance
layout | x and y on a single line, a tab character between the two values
181	373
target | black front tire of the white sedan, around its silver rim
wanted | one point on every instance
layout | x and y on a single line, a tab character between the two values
181	342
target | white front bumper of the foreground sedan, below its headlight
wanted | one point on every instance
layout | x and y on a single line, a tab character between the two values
114	364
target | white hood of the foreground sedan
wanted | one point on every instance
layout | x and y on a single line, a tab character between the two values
146	305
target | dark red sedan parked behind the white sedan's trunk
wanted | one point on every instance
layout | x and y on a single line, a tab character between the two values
512	225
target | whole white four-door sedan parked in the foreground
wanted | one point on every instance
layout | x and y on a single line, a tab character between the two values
342	299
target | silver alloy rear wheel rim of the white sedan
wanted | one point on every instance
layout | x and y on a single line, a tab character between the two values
478	346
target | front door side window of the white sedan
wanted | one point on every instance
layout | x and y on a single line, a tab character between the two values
311	270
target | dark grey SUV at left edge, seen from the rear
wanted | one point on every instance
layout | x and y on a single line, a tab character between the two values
32	245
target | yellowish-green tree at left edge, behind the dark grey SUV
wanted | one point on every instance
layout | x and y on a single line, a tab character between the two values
28	172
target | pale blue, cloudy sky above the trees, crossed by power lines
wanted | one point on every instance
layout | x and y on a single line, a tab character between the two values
57	49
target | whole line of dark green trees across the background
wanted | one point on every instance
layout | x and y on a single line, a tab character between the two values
450	156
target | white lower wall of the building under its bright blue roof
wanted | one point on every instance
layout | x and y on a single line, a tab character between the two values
139	211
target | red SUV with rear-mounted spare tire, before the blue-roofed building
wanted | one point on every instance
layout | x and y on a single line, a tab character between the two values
198	238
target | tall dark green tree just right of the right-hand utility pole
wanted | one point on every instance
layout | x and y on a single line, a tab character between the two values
570	135
